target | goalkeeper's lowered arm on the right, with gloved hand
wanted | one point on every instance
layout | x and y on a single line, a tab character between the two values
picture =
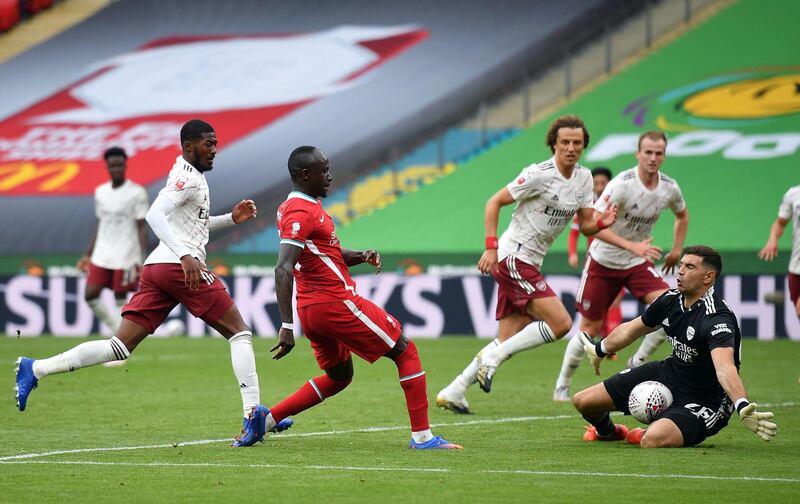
728	376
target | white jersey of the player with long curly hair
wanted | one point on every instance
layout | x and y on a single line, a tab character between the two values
546	203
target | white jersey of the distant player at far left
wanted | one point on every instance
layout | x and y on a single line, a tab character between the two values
116	245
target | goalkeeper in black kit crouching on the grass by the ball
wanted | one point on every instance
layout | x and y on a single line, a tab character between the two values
702	373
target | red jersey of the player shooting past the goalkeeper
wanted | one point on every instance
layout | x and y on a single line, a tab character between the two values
321	274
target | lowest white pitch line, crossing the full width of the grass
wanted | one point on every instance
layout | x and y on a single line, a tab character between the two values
521	472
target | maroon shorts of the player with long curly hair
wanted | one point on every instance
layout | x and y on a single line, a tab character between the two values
518	282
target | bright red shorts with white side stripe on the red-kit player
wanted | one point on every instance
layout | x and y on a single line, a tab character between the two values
352	325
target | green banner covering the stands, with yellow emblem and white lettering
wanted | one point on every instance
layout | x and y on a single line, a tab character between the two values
737	167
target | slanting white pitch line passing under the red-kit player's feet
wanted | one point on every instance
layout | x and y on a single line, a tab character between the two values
283	435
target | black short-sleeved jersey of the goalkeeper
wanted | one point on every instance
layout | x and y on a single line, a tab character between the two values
693	333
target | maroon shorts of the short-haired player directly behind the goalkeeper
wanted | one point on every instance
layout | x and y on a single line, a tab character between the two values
600	286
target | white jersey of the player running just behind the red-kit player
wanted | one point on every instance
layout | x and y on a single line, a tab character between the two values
187	188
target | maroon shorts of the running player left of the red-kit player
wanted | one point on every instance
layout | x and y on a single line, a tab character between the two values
161	289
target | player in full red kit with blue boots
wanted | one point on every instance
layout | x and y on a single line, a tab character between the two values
335	319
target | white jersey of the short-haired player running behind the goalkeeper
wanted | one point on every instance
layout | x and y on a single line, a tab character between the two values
638	209
